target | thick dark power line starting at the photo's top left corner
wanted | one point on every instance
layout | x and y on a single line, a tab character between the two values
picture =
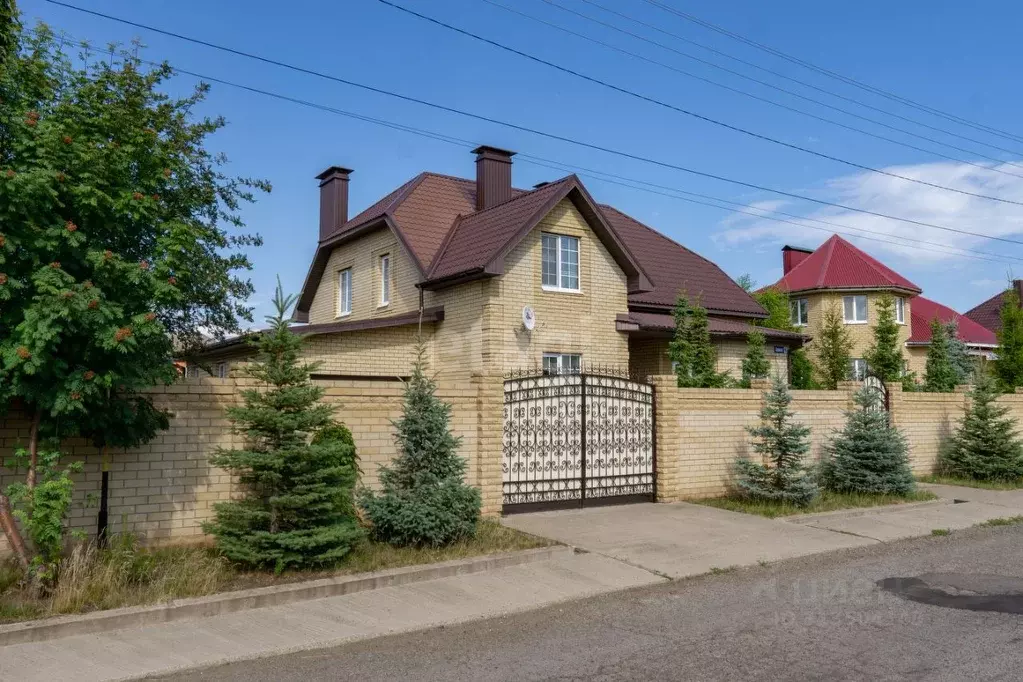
541	133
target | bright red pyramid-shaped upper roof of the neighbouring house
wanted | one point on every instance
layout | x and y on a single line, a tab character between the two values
839	265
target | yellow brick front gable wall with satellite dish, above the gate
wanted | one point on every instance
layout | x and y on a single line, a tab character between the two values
567	323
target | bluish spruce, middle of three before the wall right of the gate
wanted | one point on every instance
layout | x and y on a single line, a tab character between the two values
869	456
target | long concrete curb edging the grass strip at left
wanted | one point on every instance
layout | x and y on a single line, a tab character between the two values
229	603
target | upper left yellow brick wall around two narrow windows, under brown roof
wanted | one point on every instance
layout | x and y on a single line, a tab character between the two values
363	256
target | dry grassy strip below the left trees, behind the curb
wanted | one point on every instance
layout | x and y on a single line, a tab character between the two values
127	575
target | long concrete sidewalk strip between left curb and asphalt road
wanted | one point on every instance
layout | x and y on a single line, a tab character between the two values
187	645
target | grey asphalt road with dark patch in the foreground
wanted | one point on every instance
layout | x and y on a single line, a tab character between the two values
813	619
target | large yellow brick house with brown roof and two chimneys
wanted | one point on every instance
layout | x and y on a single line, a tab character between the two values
473	255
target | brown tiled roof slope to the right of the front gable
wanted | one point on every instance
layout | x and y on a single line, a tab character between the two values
675	269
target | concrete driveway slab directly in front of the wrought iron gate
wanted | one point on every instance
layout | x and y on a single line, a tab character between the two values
680	540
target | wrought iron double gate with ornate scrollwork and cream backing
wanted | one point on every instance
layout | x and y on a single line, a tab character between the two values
573	440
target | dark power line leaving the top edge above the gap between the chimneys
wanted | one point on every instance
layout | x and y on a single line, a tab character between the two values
685	112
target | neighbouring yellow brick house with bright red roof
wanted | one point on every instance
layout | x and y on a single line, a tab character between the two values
839	276
